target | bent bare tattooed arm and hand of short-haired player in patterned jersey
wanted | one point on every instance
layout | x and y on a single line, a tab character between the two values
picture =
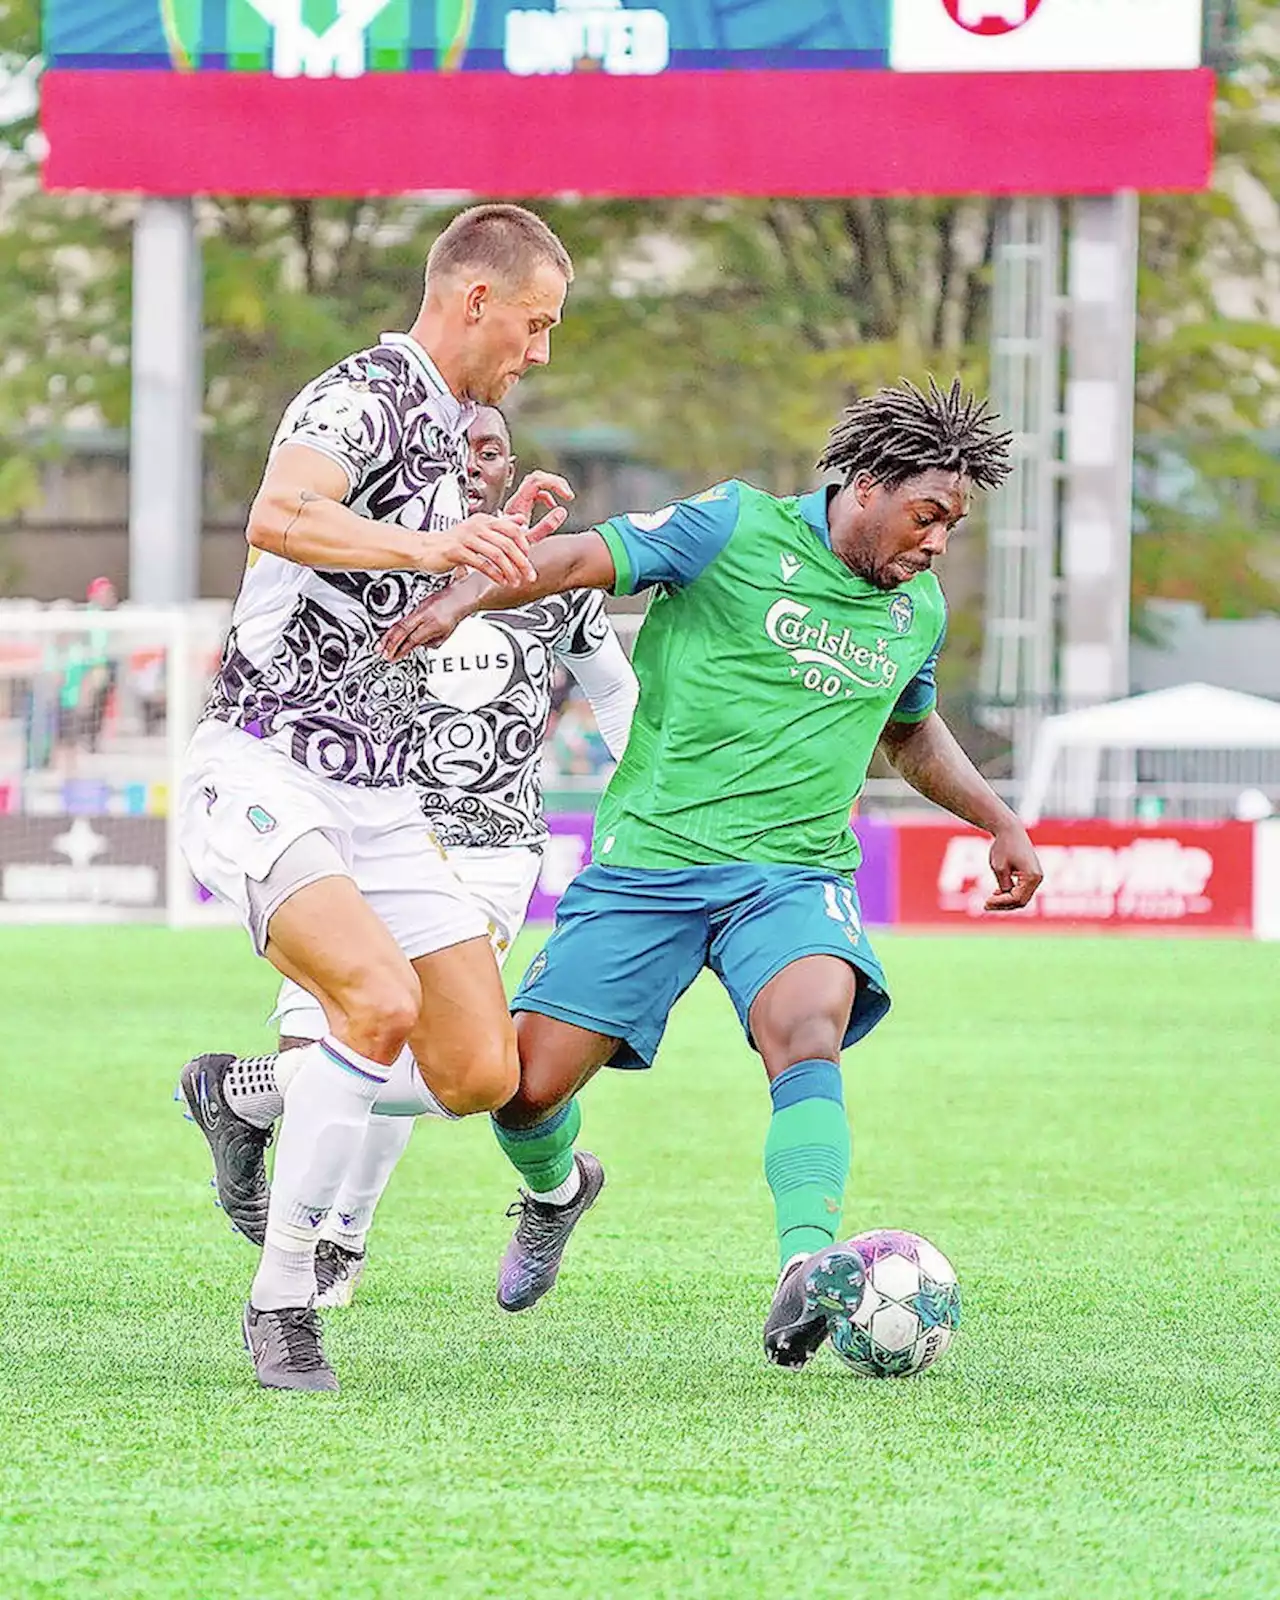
300	514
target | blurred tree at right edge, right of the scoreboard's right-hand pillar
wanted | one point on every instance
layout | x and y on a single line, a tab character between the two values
1209	362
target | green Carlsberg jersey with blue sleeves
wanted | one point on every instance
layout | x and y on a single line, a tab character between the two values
767	674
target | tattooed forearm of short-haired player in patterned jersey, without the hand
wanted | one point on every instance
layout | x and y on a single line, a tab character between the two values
314	530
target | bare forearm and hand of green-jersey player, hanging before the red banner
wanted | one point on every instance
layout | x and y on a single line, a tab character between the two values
929	756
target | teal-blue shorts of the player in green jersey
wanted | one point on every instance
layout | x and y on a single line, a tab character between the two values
630	942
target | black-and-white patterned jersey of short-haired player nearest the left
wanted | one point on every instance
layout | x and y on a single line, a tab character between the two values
302	666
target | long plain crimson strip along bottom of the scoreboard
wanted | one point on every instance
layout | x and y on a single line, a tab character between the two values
748	134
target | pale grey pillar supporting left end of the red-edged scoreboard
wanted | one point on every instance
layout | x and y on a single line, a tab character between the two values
166	415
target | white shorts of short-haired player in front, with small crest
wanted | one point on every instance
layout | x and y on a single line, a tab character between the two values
242	804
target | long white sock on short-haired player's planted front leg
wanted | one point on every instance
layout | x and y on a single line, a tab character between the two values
327	1113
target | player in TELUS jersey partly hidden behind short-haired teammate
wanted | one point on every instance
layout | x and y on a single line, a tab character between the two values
481	786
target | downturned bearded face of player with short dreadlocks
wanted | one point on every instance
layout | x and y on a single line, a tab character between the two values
892	535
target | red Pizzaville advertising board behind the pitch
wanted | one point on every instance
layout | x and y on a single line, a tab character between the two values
1183	876
